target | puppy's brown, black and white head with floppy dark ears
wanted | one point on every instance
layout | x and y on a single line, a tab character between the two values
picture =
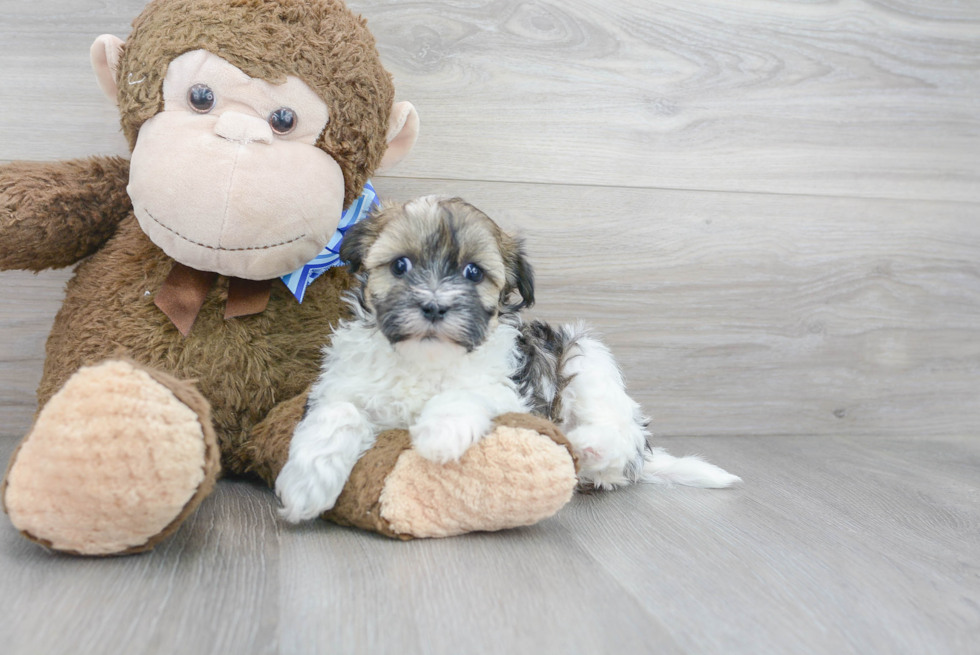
439	238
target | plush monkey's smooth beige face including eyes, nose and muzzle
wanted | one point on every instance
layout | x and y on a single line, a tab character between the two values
228	177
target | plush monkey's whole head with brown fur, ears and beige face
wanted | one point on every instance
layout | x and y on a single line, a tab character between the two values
243	162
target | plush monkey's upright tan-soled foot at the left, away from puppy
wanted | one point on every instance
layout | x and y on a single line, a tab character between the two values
115	461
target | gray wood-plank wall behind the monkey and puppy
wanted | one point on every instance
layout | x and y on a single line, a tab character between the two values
768	208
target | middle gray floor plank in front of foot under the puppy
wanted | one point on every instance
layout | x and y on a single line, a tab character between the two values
527	590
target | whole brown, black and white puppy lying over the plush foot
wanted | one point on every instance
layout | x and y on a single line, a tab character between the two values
437	345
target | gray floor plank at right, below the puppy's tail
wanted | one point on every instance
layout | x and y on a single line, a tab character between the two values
837	545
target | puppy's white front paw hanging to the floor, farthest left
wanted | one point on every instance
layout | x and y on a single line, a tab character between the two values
309	488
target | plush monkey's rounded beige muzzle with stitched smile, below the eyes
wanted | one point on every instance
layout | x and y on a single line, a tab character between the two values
250	208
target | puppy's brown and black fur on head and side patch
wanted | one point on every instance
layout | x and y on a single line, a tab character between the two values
440	236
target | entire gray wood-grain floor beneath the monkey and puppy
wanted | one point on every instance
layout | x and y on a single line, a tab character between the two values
835	545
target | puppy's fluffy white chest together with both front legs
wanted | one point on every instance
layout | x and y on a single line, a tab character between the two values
444	395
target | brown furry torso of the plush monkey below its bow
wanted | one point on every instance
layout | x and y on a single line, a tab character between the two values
244	367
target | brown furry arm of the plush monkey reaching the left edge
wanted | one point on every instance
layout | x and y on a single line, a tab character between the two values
52	214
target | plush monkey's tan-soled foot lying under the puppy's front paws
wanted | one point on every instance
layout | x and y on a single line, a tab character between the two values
519	474
